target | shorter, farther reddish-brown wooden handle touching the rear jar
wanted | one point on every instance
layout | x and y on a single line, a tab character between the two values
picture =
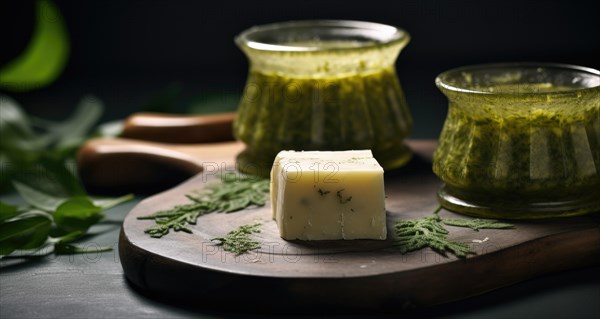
169	128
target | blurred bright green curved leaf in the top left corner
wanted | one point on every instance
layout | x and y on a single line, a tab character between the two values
44	57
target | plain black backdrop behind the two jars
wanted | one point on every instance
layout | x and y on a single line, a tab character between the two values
127	51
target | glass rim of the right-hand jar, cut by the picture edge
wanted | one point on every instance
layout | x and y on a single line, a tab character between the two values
443	80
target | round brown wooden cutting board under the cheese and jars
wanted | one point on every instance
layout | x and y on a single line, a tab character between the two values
356	275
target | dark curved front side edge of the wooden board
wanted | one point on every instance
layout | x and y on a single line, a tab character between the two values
428	286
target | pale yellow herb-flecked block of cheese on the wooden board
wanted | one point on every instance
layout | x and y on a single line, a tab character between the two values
328	195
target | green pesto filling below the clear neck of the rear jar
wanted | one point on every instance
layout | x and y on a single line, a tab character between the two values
358	110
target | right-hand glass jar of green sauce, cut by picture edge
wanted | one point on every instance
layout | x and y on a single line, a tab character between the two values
520	140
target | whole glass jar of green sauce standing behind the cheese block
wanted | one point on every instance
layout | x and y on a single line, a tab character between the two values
322	85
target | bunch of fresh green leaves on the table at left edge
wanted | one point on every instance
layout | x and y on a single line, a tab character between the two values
36	160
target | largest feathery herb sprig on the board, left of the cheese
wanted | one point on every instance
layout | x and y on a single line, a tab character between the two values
233	193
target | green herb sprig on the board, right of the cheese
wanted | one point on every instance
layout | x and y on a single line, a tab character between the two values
429	232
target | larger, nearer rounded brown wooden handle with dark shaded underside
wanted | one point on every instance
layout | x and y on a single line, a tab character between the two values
112	166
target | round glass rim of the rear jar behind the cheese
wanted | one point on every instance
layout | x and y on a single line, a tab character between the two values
377	34
